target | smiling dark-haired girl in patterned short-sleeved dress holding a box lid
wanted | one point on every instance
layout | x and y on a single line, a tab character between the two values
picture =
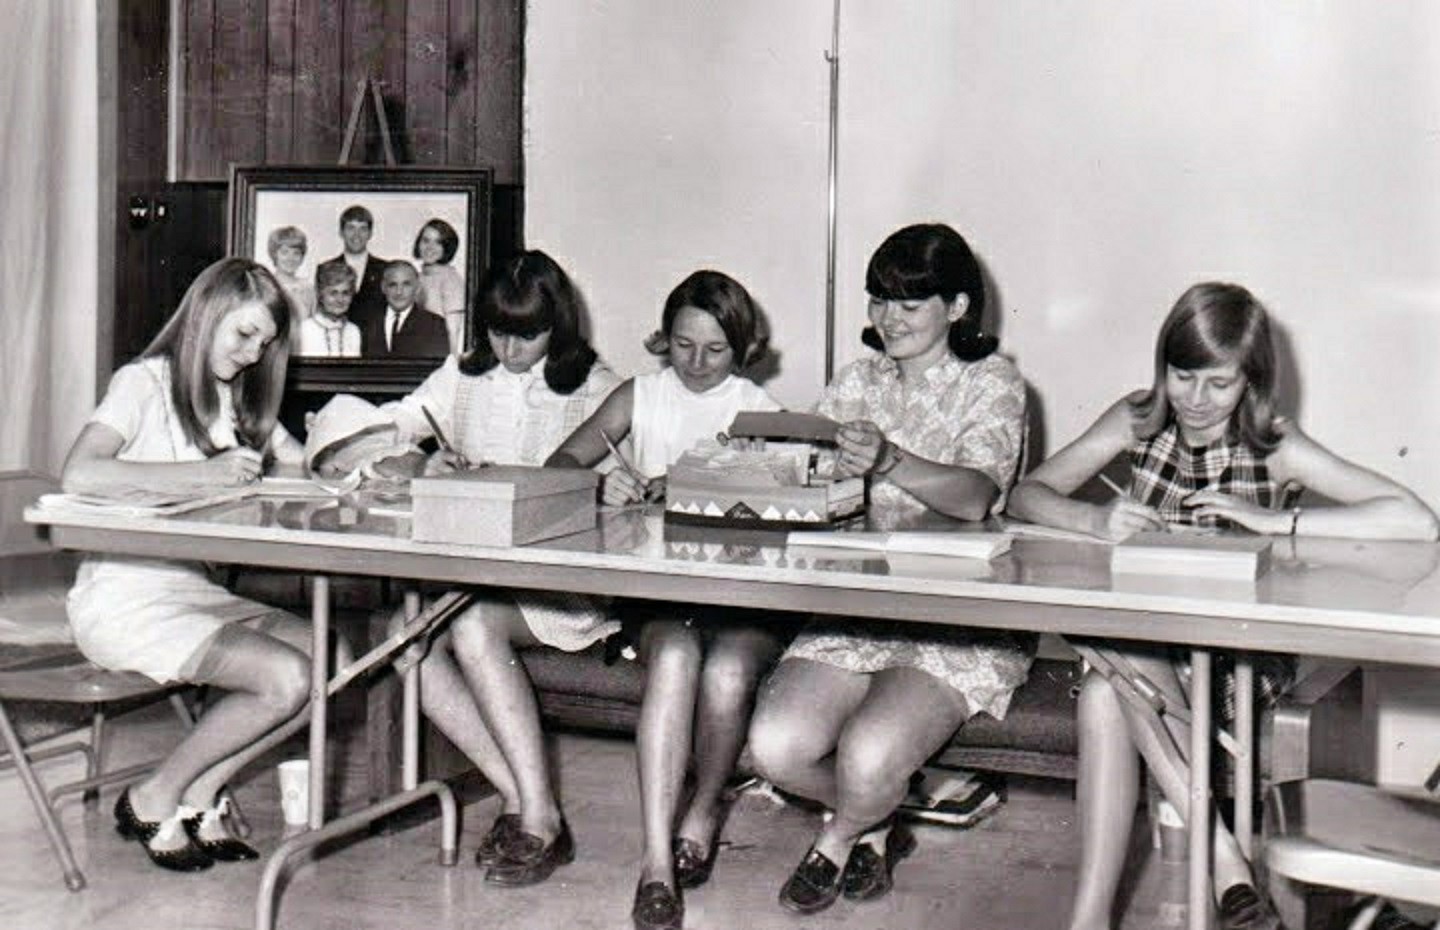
937	421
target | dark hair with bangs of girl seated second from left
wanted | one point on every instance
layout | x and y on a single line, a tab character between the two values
528	296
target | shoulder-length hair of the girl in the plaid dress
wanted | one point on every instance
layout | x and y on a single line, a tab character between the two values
1215	325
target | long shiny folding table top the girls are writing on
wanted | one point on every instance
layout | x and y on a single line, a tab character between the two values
1338	598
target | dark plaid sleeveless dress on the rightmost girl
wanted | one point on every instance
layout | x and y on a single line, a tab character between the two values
1164	471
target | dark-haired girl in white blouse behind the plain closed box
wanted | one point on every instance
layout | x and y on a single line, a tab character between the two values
526	385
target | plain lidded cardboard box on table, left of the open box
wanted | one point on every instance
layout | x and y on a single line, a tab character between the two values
503	506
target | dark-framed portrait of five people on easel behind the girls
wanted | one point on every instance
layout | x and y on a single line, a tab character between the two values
379	264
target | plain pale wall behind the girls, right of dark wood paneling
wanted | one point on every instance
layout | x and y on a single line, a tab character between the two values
1099	156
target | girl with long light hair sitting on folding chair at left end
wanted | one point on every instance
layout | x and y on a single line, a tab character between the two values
197	411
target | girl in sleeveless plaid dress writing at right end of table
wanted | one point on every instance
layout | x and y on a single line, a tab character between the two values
1206	447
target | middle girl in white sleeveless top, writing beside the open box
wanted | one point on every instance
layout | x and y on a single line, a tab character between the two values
702	666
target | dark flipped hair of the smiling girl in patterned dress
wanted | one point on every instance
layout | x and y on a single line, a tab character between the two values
932	260
